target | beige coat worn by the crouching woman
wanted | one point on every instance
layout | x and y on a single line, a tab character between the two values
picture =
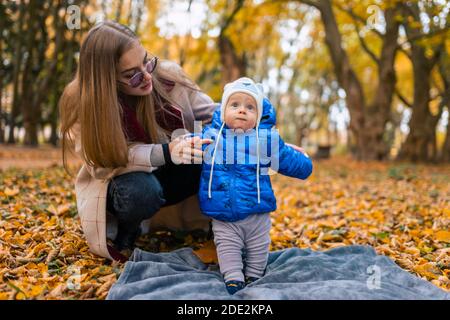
91	183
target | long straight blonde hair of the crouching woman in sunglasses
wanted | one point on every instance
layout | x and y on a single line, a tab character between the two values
91	98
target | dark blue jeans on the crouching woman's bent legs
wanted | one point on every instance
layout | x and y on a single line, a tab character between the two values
137	196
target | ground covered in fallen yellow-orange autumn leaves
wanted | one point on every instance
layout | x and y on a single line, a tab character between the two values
402	210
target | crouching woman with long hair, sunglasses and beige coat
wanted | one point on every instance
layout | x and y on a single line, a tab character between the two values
118	114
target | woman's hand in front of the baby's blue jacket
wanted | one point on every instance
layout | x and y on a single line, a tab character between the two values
187	149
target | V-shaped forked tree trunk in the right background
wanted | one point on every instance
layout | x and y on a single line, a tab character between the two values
367	123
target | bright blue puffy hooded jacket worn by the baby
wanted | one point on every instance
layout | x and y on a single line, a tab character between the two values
233	190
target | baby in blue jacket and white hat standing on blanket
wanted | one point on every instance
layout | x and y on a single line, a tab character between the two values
238	196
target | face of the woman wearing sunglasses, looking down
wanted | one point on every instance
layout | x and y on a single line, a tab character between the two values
131	62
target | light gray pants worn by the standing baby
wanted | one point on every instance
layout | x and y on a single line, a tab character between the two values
251	234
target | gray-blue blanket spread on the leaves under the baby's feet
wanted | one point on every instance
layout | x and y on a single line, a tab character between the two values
351	272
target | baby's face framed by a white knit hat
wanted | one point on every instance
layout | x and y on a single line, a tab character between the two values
241	112
